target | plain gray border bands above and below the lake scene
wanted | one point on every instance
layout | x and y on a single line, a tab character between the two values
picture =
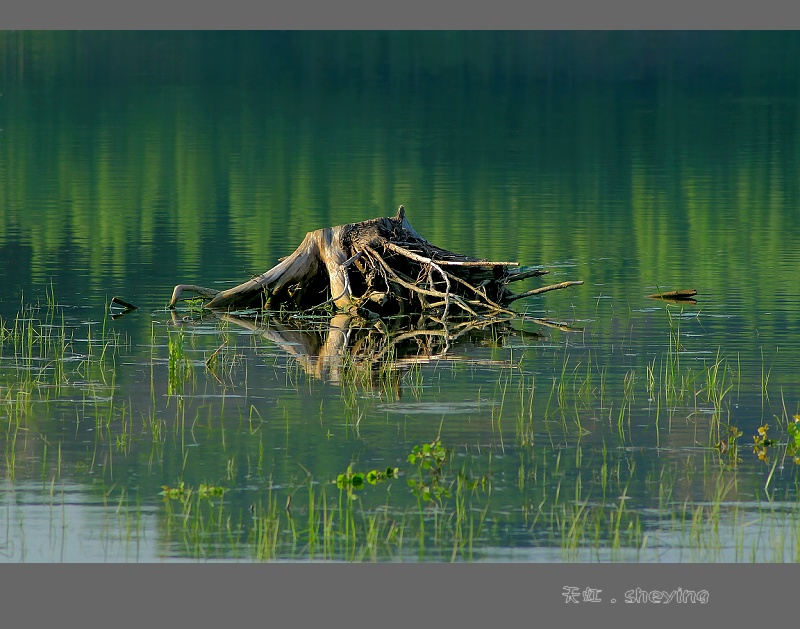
391	594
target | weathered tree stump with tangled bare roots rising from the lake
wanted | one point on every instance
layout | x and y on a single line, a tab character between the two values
378	267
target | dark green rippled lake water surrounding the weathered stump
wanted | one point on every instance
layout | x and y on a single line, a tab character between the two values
637	162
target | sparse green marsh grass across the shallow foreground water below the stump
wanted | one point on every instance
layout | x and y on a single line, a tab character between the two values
571	458
